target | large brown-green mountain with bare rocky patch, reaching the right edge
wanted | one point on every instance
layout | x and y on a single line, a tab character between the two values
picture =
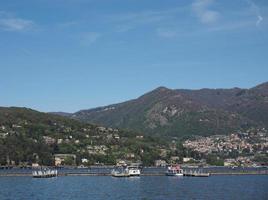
182	112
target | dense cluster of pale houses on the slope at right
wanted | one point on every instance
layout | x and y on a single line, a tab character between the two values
237	149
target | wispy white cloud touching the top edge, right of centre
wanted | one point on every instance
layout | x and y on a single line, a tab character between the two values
202	11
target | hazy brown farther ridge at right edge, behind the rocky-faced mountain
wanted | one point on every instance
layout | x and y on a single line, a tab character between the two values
250	103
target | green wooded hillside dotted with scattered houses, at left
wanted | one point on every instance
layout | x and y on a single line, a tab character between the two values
28	136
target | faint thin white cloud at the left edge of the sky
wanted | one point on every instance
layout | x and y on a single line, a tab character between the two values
10	23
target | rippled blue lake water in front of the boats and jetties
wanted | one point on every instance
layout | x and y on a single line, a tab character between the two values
145	187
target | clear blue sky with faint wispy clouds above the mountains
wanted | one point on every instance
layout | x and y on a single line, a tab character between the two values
67	55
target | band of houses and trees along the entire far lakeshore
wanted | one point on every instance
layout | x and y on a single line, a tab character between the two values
97	145
